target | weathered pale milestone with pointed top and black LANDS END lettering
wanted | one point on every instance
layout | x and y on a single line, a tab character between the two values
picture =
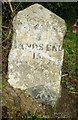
36	56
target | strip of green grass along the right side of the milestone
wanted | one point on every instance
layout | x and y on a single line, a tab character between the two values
70	60
